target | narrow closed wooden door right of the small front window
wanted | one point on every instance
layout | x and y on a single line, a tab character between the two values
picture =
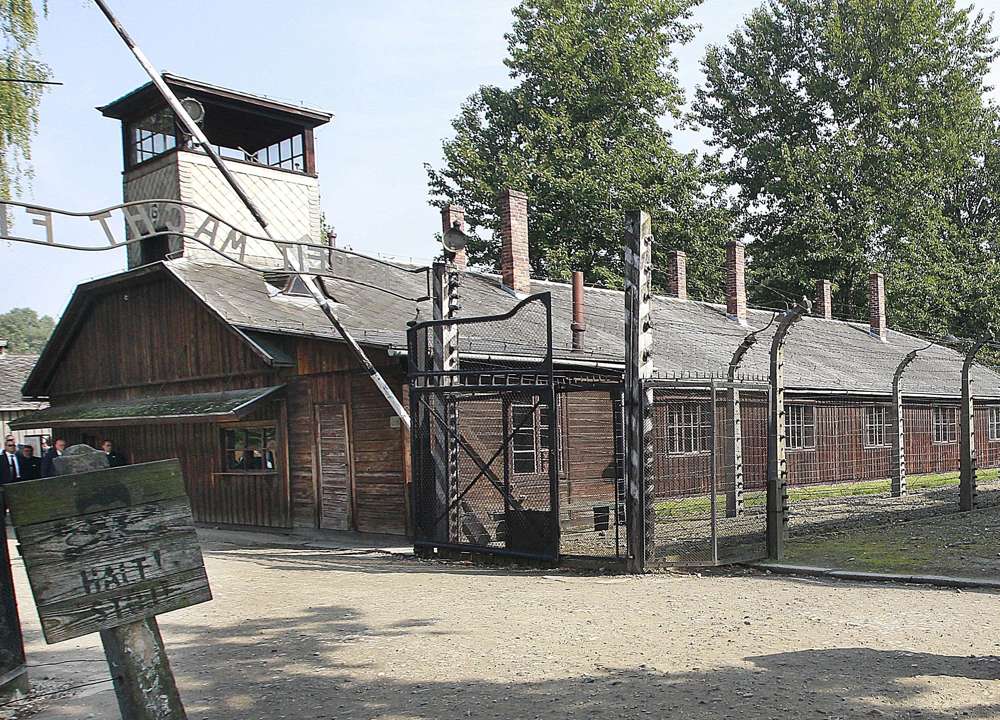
335	485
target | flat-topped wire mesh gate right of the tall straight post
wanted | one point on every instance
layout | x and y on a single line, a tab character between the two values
710	472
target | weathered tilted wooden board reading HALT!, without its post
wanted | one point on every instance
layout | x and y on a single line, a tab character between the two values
108	547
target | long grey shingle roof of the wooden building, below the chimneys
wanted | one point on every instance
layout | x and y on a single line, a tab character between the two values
689	336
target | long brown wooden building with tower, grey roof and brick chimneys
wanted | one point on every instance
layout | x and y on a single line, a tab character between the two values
241	376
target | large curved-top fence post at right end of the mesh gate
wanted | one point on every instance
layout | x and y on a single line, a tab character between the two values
777	471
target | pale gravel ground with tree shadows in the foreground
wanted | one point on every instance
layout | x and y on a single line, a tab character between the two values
311	633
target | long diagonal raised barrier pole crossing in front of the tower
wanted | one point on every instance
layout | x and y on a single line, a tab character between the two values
311	282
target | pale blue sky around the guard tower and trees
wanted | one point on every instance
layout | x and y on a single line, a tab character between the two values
394	72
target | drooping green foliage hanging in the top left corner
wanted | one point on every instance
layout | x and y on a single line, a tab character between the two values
18	100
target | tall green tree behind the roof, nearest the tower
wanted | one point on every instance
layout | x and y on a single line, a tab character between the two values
582	132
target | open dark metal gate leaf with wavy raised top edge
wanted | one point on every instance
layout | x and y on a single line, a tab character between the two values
483	440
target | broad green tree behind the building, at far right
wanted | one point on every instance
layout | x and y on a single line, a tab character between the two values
849	129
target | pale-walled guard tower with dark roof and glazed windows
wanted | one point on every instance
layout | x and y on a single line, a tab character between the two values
268	146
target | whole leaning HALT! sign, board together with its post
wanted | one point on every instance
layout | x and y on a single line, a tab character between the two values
106	551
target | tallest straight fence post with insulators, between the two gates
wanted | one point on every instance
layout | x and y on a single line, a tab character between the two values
641	499
